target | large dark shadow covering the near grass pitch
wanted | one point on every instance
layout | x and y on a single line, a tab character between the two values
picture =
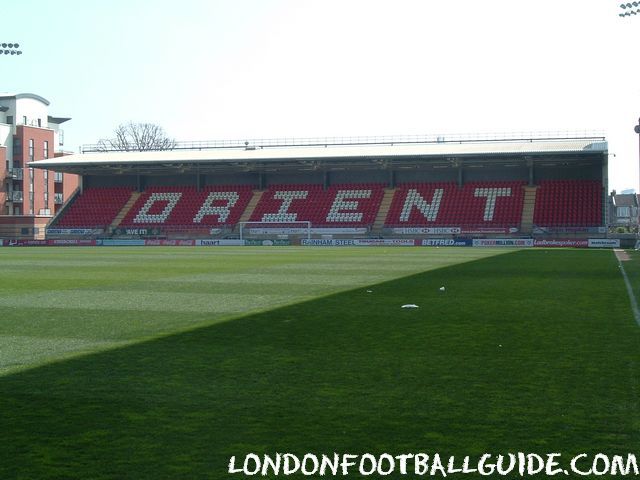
515	355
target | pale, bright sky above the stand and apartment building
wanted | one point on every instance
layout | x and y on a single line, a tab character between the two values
235	69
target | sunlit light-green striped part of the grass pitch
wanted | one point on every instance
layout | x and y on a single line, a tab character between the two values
107	294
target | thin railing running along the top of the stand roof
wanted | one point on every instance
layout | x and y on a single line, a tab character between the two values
253	144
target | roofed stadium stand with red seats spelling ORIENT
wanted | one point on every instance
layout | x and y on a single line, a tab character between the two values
511	186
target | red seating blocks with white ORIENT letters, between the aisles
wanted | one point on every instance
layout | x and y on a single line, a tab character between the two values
477	204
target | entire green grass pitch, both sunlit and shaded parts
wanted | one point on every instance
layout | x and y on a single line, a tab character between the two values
161	363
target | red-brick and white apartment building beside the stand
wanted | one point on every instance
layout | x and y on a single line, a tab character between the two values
30	197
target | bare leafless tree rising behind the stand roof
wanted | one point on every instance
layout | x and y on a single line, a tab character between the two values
137	137
